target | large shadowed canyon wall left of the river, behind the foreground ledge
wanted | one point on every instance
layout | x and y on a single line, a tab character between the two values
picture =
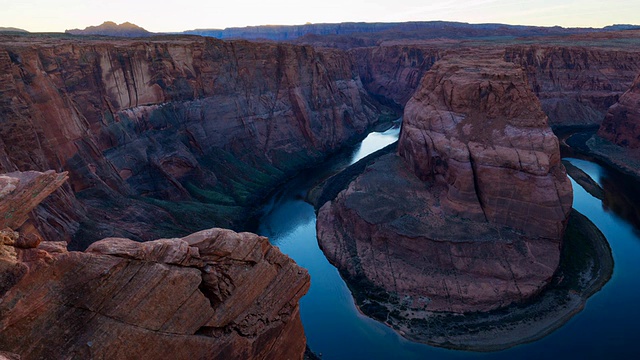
184	132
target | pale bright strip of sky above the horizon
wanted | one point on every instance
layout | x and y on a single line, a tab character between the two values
180	15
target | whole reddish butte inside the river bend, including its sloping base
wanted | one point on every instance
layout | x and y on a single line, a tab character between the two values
471	215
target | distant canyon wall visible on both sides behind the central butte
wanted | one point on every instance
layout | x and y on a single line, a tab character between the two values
575	85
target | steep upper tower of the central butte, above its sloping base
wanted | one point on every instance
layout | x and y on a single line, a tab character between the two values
485	136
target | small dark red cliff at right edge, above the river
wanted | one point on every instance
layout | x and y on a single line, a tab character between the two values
622	123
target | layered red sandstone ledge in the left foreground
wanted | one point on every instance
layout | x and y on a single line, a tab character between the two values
213	294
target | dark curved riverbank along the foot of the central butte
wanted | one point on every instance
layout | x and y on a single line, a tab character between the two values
586	266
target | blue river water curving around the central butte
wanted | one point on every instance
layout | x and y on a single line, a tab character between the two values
608	327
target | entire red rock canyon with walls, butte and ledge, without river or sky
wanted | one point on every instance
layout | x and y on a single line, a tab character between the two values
171	138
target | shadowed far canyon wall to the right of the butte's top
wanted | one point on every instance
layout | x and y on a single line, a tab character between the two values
576	85
